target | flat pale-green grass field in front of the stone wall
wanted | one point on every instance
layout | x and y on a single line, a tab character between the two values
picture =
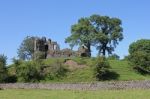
68	94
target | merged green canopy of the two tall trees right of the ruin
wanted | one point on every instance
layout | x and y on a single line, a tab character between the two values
102	32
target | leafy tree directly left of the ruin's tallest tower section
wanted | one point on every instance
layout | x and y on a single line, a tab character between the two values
26	49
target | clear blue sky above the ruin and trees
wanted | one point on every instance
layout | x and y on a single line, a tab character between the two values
53	18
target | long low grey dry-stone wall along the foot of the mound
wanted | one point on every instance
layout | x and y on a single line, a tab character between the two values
80	86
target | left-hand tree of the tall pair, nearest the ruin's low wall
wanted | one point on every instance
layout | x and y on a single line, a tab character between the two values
81	34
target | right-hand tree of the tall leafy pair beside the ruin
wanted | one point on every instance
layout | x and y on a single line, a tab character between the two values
107	33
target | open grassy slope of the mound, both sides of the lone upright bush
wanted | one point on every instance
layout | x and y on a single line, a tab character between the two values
121	70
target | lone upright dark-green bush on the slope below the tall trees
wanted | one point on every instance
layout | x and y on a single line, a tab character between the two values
102	68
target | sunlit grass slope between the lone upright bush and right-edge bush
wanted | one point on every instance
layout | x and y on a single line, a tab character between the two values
126	71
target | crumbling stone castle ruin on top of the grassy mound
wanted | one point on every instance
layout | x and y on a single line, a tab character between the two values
46	48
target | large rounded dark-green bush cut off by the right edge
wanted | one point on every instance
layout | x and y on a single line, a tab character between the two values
140	55
